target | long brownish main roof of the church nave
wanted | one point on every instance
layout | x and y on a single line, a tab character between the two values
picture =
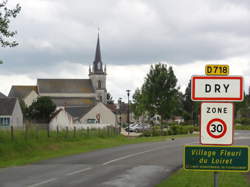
65	86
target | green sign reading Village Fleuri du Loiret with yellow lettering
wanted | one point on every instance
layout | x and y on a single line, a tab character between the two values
216	158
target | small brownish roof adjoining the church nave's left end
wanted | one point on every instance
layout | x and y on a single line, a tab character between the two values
21	91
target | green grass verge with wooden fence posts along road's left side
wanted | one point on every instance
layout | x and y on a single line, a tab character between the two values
37	146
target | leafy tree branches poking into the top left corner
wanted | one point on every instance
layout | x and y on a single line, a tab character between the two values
5	17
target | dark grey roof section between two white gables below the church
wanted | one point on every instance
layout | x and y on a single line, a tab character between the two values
78	112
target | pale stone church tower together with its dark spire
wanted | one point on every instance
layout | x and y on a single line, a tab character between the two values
98	75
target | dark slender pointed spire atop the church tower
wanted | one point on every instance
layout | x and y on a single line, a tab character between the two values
97	64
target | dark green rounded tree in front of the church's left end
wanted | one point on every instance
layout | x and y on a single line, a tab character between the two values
41	109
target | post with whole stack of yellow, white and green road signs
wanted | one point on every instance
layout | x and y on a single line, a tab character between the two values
216	90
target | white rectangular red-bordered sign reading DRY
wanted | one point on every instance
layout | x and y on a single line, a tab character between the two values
217	88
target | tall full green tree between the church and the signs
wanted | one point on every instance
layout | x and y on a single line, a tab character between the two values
160	94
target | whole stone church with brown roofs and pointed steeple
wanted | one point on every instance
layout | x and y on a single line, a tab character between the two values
69	92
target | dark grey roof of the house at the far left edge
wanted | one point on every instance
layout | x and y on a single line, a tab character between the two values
7	105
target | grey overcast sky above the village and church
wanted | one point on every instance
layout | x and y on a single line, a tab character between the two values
57	39
